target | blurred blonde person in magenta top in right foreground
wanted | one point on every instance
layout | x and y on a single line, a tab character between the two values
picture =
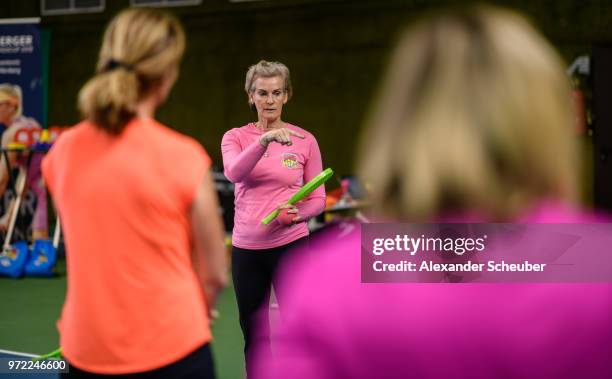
474	123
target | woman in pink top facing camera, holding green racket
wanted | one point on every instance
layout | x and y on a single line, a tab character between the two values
268	160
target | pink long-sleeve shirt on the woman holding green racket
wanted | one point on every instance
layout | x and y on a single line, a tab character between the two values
266	177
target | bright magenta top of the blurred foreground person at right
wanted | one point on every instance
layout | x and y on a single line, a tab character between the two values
333	326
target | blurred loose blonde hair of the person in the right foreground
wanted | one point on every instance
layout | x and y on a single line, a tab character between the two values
474	115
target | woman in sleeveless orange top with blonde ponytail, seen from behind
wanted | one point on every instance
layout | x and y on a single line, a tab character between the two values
144	241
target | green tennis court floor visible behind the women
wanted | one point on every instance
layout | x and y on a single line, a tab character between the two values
31	306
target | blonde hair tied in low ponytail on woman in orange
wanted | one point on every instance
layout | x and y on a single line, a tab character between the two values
140	46
